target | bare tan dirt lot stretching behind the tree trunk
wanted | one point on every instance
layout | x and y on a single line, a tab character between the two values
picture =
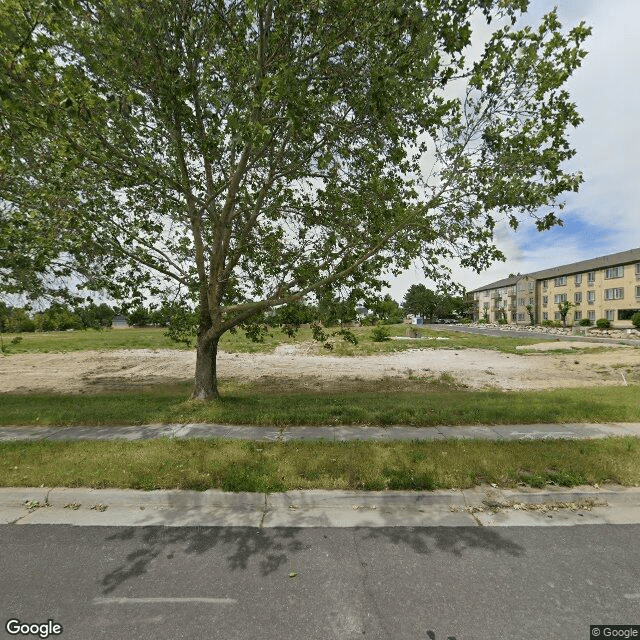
86	371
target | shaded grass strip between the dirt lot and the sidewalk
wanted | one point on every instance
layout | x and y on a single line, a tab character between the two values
436	404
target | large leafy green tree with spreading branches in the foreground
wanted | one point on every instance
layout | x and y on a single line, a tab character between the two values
243	154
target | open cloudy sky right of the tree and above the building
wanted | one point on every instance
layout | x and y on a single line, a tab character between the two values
604	216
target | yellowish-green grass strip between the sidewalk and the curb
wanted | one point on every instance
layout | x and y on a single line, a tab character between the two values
269	467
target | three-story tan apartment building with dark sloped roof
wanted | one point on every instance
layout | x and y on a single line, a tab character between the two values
606	287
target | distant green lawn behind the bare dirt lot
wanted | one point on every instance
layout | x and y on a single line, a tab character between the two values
153	338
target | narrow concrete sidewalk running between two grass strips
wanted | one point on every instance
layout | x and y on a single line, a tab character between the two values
573	431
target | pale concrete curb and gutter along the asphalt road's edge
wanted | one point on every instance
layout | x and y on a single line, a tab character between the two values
477	507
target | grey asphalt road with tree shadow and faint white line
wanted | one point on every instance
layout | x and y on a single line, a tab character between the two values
519	583
